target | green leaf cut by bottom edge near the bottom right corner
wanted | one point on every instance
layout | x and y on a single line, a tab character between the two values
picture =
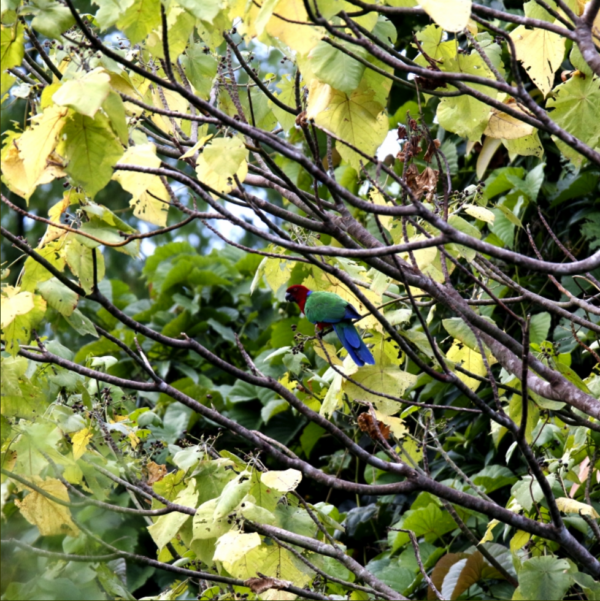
545	577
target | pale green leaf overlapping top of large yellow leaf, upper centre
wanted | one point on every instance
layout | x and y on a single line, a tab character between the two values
335	67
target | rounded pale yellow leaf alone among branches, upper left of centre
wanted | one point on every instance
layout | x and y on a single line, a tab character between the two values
220	161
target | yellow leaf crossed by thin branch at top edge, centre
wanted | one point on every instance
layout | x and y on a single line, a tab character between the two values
301	38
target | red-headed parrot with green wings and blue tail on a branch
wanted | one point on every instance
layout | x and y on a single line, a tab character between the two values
328	309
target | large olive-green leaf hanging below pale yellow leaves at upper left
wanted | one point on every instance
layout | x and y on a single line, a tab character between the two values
91	149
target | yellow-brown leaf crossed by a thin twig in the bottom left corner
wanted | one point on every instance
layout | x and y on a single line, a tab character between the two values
50	517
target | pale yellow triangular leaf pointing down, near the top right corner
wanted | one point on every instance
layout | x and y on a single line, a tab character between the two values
541	53
